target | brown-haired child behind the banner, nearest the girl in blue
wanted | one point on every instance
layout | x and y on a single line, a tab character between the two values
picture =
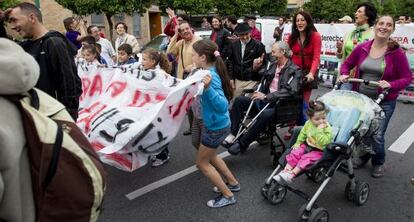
152	59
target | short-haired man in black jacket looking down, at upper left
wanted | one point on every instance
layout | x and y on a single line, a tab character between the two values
54	53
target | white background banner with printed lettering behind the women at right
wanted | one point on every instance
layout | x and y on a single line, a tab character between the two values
331	33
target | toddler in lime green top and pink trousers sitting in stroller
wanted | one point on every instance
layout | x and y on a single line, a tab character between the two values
312	140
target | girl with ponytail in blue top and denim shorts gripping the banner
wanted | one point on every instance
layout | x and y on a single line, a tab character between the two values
214	113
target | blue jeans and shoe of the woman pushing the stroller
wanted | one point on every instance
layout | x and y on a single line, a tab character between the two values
377	140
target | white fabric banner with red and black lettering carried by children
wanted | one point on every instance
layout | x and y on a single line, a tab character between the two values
129	114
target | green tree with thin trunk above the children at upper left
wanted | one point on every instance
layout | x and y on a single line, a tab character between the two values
108	7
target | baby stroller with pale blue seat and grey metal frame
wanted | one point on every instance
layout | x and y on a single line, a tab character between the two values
351	116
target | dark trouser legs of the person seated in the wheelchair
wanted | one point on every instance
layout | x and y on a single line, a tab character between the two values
240	105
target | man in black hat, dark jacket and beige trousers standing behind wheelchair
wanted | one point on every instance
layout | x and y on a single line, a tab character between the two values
241	57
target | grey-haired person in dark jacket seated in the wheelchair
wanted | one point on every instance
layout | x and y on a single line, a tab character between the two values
281	81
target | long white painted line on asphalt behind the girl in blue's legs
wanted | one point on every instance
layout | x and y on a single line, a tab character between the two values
167	180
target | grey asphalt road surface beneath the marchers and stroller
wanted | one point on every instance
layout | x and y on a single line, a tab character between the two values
391	197
